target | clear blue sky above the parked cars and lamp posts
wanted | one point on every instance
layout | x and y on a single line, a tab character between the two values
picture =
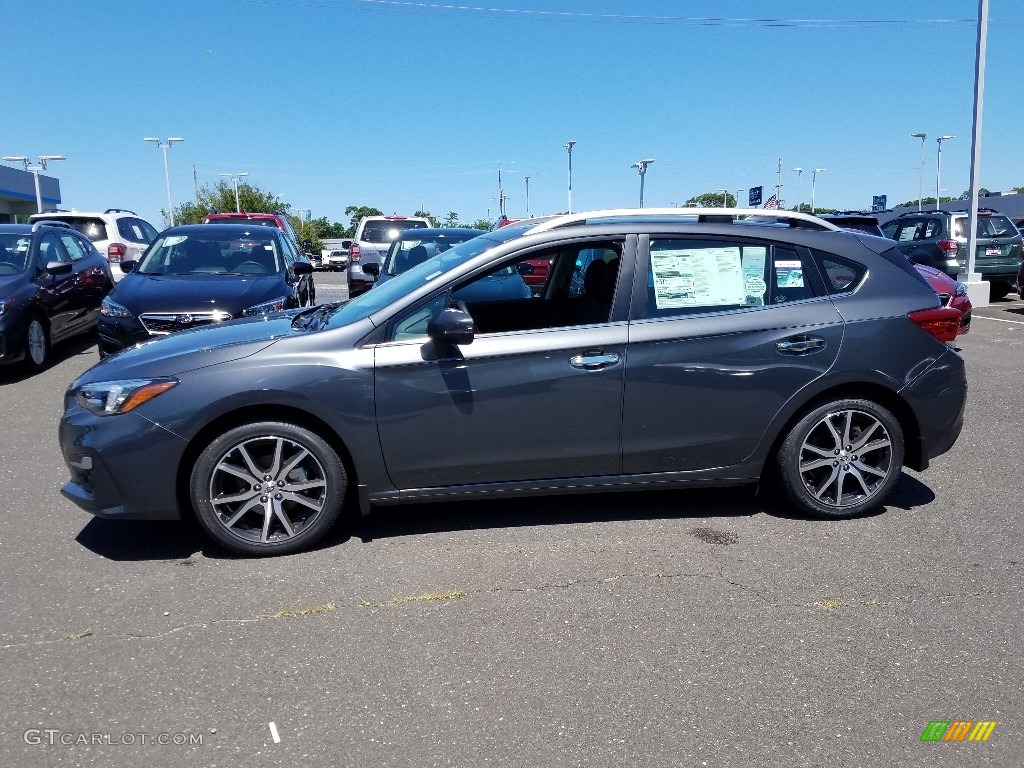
403	105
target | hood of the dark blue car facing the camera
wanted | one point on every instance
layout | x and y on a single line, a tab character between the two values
196	293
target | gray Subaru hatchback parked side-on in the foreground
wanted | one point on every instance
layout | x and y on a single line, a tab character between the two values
667	348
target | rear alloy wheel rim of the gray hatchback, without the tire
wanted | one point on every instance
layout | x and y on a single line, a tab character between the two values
845	458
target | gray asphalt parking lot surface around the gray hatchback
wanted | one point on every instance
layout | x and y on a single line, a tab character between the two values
656	629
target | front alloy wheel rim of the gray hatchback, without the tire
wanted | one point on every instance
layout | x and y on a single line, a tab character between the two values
268	490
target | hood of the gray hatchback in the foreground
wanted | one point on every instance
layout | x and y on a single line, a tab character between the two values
199	348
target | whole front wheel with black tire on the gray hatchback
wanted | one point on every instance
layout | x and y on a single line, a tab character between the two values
268	489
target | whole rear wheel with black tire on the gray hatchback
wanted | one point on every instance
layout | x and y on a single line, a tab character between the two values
842	459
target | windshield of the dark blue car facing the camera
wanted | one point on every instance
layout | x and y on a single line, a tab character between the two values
216	251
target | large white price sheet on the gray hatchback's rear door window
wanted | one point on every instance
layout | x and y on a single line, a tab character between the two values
699	277
